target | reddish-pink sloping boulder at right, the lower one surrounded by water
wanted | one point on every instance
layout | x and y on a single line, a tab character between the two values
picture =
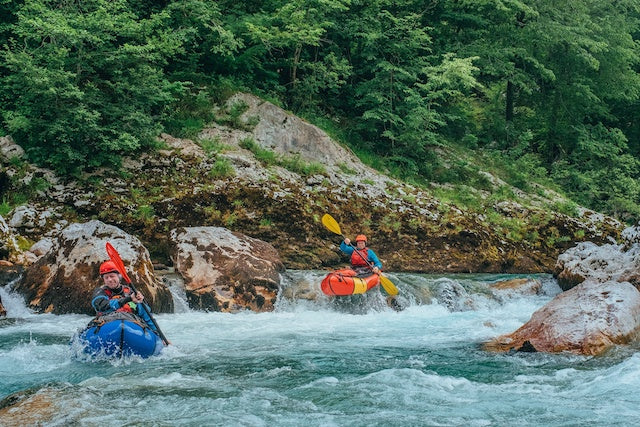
587	320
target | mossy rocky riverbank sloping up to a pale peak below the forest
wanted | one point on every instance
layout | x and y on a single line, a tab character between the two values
271	176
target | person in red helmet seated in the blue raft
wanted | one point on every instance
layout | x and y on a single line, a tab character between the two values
114	297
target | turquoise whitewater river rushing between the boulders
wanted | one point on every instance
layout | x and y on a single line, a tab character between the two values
316	364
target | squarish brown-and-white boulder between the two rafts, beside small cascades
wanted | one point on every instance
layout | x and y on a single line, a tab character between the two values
226	271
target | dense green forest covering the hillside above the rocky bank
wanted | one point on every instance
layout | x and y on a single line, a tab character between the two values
551	89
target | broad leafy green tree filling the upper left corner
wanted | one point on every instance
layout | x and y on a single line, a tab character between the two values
84	81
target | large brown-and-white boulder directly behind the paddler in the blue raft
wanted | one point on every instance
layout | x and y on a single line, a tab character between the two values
63	280
